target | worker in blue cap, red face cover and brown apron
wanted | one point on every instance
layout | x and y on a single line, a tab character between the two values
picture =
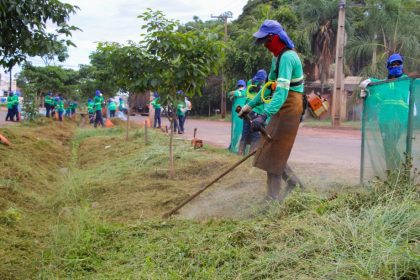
283	104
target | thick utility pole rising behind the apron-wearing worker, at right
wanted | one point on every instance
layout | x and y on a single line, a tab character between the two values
338	75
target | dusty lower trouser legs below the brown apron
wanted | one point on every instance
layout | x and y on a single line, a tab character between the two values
274	184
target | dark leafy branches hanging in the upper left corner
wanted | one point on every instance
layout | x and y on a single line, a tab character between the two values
24	28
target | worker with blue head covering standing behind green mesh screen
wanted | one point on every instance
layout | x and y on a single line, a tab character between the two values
393	107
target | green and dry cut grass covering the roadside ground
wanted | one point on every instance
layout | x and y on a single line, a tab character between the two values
101	220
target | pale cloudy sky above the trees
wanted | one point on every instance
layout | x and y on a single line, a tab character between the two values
116	20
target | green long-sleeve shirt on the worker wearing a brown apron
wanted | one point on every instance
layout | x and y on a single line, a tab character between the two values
290	70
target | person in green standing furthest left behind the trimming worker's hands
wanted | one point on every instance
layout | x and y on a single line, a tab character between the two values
238	98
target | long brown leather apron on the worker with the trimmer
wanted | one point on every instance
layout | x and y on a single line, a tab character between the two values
272	155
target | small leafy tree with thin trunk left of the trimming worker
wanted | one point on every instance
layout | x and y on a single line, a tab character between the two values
176	60
